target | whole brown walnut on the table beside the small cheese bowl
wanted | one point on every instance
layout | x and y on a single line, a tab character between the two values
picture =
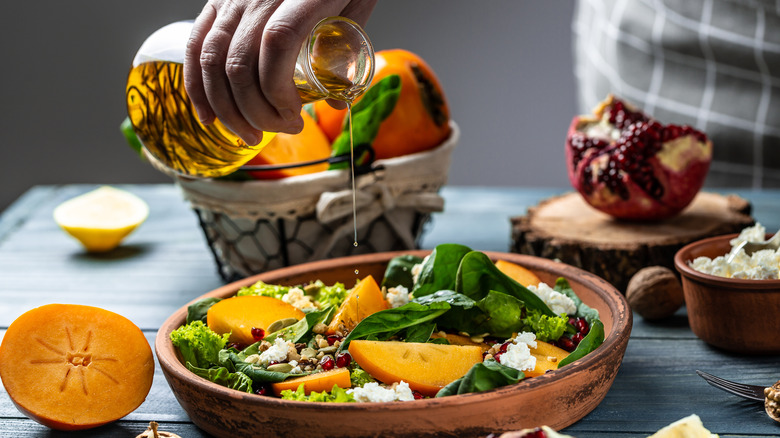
655	293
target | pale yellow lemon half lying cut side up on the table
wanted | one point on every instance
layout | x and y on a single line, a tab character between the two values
100	219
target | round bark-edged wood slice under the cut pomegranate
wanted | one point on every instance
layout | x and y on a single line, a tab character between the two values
567	228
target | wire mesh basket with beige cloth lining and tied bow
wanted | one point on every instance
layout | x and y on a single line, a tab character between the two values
256	226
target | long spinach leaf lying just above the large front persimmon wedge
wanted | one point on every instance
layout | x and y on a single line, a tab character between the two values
385	323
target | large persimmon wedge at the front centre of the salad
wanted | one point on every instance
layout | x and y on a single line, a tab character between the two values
426	367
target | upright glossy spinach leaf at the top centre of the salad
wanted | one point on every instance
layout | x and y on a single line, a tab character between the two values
440	269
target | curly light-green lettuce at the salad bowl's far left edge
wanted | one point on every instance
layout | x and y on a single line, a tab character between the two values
198	344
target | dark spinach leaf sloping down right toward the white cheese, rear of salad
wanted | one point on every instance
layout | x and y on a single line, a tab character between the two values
477	275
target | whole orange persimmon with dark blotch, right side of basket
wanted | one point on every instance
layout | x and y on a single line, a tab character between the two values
420	119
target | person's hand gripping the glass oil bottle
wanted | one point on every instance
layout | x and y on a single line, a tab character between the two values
241	55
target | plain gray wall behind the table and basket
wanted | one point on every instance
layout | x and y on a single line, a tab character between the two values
505	65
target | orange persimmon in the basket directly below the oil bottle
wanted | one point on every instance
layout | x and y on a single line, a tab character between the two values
310	144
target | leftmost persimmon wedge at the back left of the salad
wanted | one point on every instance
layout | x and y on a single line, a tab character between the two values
239	315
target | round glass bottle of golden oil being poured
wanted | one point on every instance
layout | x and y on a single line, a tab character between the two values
335	62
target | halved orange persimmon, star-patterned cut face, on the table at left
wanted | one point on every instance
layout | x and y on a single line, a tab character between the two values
73	367
